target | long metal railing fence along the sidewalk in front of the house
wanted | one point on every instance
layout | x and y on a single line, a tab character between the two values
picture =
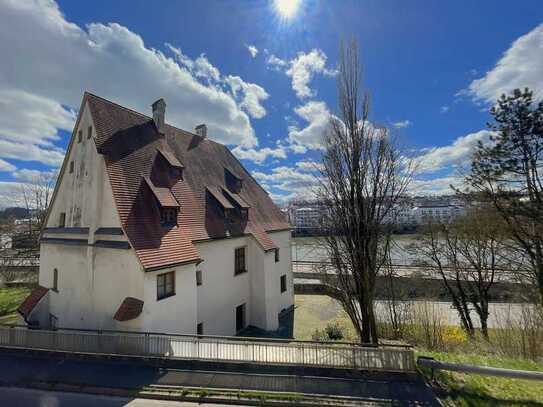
211	348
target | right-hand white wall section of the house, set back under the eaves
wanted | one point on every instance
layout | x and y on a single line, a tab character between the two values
259	288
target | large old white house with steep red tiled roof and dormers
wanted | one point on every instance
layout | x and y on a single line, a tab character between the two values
153	228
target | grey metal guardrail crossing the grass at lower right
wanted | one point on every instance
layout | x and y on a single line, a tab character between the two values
433	364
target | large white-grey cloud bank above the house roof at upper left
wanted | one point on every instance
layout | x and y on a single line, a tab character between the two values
114	62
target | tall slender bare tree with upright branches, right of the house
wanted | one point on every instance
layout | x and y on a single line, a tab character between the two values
363	175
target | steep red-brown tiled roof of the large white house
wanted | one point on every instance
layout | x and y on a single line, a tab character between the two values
131	144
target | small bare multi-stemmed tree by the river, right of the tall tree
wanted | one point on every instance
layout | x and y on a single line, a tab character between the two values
467	254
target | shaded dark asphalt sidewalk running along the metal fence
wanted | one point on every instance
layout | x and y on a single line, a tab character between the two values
18	369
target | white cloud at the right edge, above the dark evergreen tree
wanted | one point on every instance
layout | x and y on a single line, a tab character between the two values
521	66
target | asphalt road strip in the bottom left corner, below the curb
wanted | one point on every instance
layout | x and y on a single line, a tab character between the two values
17	397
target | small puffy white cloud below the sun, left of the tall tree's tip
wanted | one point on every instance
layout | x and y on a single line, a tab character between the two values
303	67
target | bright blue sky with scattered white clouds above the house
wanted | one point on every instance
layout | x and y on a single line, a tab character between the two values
264	84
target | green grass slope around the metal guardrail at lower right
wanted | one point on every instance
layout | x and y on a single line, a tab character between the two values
471	390
